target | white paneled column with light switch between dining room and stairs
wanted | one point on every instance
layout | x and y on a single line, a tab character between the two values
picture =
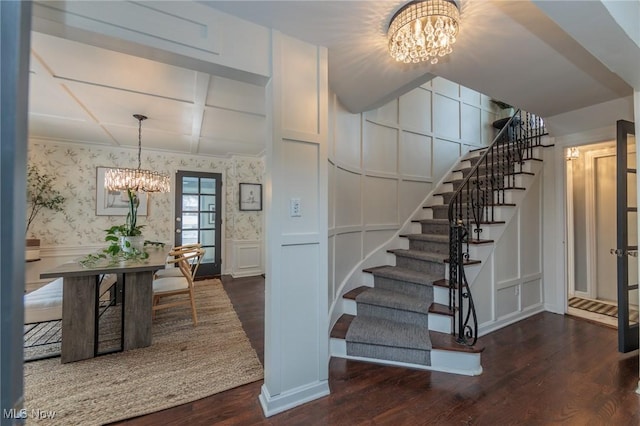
296	299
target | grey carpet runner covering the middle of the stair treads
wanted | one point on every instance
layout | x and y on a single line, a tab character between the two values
392	321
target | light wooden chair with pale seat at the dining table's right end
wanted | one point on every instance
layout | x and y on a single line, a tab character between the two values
187	263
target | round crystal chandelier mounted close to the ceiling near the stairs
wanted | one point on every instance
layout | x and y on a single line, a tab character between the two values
423	31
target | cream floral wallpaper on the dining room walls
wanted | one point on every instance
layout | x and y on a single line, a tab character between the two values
74	168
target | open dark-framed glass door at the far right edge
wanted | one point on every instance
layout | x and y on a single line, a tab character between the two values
627	238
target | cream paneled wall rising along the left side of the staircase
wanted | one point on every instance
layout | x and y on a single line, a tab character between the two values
385	162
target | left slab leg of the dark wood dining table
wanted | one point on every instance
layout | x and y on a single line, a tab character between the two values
78	318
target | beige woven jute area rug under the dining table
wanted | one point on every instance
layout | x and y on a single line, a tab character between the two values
183	364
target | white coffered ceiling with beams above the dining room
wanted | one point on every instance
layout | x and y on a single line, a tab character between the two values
84	94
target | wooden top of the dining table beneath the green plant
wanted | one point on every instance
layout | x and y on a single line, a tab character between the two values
157	260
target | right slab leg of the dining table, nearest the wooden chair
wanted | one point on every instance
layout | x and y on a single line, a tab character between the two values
138	289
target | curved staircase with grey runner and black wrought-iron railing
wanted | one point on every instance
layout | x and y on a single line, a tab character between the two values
419	312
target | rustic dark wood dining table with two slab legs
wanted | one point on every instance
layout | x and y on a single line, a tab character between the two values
80	303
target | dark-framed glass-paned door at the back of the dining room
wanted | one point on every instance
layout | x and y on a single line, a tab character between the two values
198	217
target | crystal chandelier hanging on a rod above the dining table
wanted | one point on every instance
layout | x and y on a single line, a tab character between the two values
136	179
